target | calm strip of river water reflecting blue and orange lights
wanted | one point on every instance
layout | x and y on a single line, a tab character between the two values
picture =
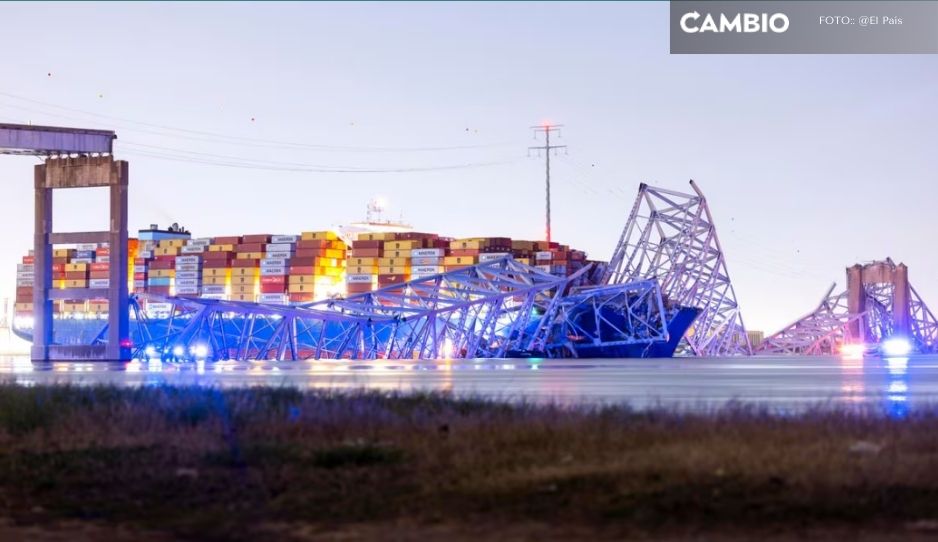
893	385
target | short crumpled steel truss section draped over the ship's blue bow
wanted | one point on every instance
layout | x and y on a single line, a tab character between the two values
607	316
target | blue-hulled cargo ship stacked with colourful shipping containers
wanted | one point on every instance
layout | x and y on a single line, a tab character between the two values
287	270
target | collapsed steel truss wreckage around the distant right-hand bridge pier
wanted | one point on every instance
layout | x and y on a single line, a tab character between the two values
825	329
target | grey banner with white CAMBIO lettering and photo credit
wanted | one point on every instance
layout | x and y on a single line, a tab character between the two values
765	27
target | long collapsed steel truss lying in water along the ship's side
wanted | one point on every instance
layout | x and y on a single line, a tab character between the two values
485	310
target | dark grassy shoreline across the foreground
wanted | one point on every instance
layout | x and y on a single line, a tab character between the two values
188	463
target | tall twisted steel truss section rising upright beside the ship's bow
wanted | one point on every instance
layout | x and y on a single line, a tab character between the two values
670	237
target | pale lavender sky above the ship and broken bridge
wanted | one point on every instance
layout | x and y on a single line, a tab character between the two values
259	117
